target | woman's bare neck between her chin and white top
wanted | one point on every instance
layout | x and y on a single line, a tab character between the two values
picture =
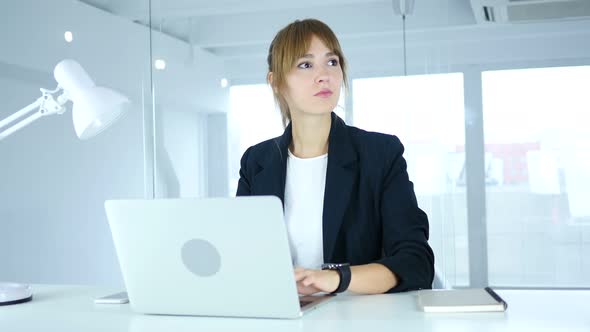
310	134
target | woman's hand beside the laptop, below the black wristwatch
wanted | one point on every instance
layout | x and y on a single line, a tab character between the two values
314	281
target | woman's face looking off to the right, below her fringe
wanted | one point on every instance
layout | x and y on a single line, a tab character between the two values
313	85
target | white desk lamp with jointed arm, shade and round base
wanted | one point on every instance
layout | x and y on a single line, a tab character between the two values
94	109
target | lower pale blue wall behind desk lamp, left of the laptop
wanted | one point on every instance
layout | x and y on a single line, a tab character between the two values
52	189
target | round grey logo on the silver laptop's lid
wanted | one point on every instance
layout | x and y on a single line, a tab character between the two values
201	257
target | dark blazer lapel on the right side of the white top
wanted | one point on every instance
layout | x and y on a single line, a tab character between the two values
340	181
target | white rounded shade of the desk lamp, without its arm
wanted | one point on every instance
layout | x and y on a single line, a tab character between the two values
94	108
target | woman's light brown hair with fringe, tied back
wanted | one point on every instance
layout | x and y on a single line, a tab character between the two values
288	46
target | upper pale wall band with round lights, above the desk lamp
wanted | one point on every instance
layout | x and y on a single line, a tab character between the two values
113	49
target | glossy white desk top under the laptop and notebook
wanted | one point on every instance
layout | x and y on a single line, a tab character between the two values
71	308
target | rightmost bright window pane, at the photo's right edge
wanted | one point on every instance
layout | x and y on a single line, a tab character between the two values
538	141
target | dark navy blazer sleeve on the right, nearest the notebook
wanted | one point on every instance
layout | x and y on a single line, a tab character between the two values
404	227
